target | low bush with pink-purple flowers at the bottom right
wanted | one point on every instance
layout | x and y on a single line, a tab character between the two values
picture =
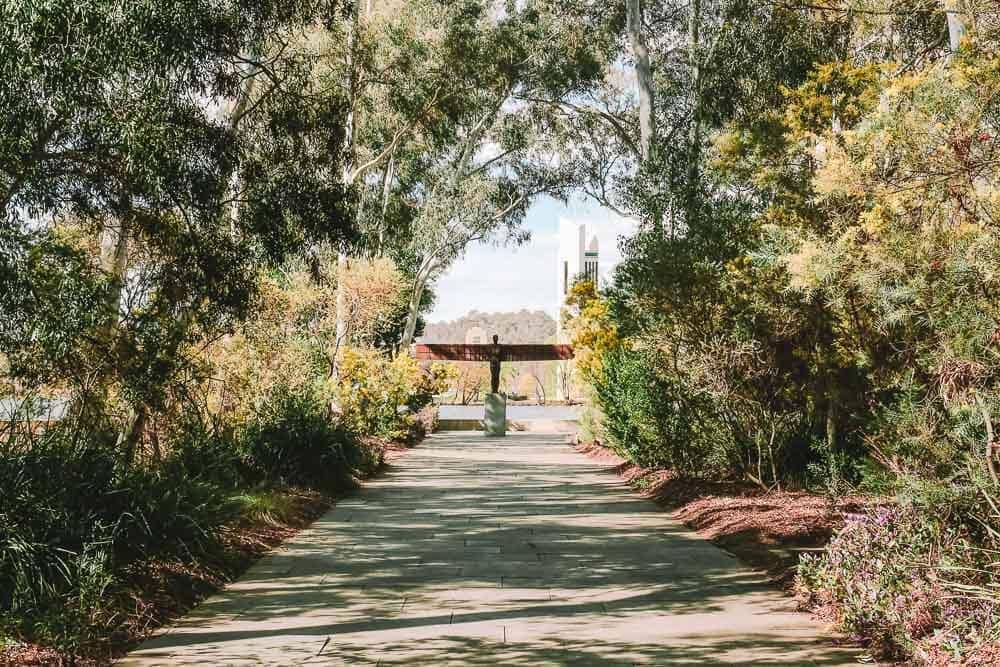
904	583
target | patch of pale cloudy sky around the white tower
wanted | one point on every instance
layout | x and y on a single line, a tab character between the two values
505	279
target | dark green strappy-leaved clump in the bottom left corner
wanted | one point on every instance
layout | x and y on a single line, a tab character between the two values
71	517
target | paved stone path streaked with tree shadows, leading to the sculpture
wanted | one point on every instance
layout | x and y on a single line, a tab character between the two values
515	551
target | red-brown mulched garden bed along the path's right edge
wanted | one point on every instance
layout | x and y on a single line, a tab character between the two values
771	530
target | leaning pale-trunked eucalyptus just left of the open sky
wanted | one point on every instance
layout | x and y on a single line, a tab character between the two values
477	171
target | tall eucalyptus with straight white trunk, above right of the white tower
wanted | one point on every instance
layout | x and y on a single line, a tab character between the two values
678	72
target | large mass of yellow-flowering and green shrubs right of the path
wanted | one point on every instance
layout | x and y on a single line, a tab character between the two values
827	291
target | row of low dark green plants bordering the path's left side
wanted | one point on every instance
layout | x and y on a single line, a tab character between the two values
73	520
